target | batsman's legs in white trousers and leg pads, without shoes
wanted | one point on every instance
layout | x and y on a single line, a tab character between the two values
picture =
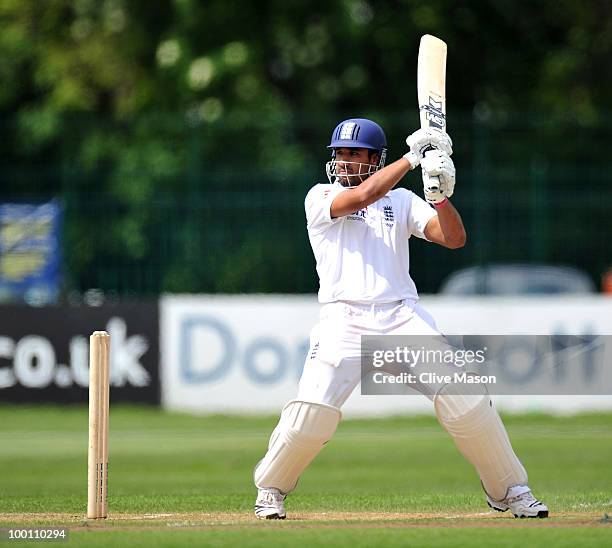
333	370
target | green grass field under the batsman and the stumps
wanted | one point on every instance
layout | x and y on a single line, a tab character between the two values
200	468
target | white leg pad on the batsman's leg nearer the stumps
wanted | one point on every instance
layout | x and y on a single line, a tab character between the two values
302	430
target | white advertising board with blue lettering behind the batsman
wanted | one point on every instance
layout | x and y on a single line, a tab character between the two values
244	354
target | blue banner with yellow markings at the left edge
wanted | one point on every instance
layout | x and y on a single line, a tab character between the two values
30	252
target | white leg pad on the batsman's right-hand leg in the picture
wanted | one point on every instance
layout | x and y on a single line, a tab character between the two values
481	437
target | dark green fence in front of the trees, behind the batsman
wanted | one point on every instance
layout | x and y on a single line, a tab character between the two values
222	210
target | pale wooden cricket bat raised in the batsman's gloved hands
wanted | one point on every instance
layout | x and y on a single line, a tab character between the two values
431	83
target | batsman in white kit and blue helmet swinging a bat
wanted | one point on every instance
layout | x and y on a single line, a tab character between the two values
359	227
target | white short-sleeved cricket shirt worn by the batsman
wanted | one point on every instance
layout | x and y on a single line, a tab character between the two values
363	256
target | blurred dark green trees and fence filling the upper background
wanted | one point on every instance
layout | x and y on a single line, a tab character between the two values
182	136
